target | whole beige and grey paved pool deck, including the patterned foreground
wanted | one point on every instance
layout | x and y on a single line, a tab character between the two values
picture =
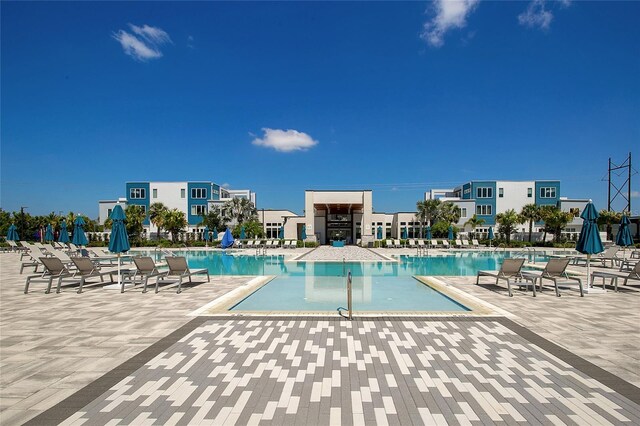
143	359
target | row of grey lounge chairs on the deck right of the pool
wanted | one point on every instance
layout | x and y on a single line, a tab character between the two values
555	271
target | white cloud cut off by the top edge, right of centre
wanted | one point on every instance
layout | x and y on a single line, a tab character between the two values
449	14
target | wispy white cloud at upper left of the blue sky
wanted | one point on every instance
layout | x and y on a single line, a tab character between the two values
143	43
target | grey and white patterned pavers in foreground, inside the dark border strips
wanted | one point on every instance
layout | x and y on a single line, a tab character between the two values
383	371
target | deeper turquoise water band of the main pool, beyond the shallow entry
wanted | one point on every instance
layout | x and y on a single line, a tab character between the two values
455	264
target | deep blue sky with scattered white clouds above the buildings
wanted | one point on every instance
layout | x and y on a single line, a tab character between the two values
393	97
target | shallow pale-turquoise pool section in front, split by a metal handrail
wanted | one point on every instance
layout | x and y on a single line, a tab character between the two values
327	293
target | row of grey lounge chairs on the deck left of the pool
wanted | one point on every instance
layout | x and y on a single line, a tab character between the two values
83	268
